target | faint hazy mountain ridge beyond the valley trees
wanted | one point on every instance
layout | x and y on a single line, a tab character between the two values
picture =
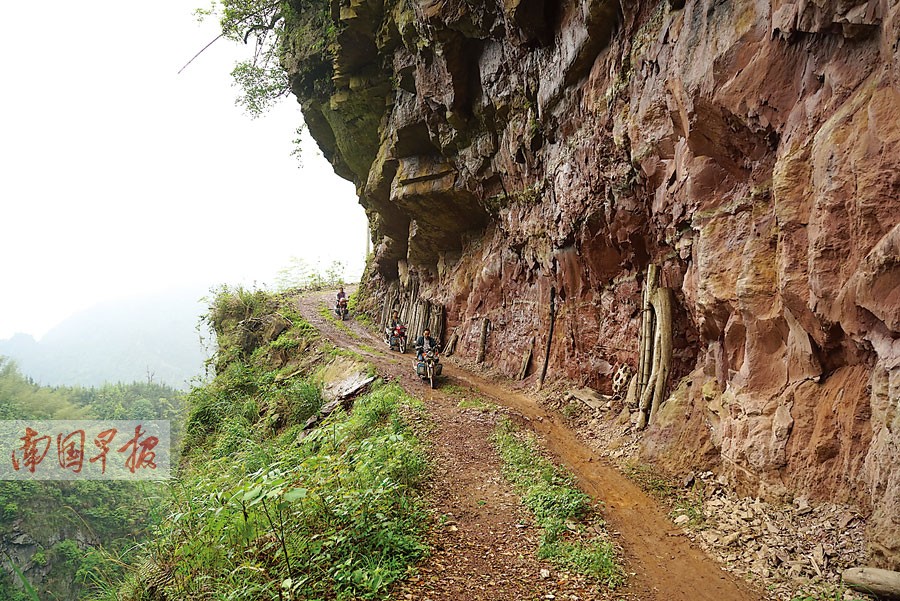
148	337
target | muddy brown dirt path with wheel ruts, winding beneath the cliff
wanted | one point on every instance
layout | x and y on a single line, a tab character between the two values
485	546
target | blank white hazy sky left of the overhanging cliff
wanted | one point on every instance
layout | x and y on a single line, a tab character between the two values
121	178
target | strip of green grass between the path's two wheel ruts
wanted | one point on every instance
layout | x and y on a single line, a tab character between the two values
568	521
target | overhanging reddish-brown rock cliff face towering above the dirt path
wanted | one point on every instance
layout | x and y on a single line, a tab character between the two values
522	163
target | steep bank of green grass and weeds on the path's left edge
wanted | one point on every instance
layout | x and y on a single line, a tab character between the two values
263	509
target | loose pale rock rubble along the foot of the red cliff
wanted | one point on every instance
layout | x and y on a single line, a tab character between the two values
790	550
